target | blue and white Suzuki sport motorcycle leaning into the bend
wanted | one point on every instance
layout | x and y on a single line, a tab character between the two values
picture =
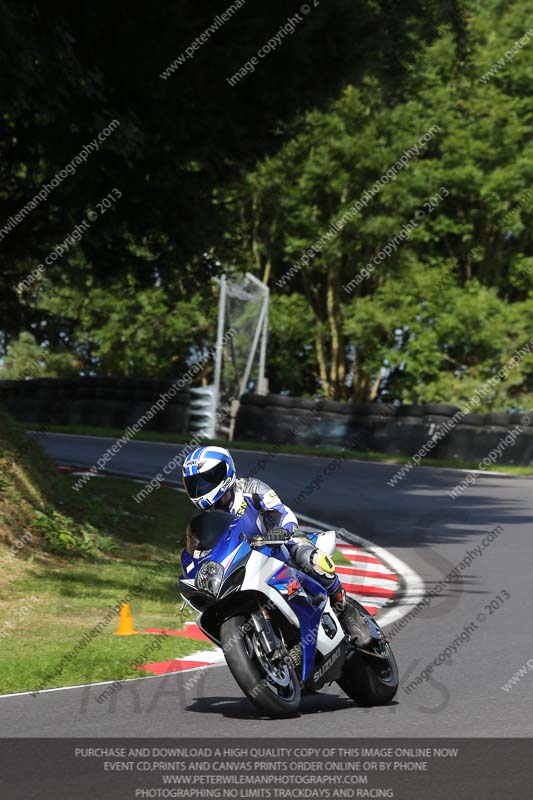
275	624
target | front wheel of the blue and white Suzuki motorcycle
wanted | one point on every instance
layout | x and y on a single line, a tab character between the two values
272	686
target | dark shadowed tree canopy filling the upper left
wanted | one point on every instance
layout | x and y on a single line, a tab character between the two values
185	137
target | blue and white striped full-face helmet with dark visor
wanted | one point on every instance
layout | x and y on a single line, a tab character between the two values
208	473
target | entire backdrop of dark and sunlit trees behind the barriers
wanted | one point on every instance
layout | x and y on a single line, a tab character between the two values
296	146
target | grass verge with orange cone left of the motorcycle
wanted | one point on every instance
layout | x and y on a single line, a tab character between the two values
51	602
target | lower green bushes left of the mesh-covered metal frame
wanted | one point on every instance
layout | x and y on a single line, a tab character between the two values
128	329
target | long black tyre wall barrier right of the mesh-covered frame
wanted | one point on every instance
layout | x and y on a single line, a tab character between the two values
382	428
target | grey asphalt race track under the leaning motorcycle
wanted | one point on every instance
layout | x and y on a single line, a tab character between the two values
416	521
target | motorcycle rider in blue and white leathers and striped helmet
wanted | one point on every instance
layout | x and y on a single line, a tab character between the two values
211	483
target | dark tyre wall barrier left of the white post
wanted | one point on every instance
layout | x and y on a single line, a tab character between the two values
98	402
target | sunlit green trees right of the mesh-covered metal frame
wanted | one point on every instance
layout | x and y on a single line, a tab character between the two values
452	303
